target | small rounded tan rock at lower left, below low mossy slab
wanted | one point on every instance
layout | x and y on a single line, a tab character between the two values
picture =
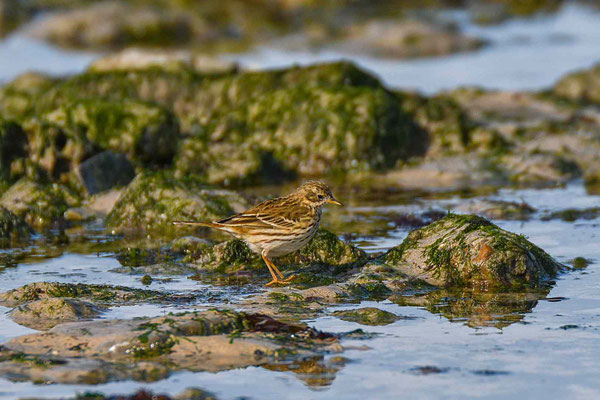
47	313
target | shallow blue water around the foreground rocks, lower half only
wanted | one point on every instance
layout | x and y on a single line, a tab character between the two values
548	349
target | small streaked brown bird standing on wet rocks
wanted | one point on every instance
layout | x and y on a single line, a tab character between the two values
279	226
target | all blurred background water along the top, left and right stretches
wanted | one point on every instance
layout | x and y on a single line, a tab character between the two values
523	54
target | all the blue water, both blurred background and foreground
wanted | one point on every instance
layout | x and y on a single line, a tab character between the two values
545	349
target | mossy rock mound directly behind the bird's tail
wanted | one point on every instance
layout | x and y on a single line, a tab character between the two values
153	201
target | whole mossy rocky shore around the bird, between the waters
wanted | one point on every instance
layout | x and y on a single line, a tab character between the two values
125	150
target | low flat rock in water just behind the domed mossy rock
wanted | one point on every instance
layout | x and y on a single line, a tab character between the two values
497	209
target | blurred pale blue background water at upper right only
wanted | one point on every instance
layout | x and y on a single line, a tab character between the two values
523	54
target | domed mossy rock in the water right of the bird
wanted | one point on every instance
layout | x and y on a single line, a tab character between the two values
466	250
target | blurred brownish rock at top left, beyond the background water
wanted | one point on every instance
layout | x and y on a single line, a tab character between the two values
216	26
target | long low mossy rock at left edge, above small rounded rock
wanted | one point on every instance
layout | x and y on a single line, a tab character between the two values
104	294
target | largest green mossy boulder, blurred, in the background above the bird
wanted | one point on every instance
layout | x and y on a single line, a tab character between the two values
342	117
